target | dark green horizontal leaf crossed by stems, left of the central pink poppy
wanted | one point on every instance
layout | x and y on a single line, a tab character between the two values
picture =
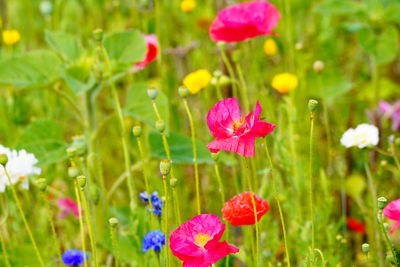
181	149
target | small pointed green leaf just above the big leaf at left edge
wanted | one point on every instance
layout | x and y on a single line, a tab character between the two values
66	44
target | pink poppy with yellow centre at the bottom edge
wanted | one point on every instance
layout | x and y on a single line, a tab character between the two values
196	242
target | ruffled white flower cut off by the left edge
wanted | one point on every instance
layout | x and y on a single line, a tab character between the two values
20	165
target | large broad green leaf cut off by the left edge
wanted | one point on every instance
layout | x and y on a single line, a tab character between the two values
33	69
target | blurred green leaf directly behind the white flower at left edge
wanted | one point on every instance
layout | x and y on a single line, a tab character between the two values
44	138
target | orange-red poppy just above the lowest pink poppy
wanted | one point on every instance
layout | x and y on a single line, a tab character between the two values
239	210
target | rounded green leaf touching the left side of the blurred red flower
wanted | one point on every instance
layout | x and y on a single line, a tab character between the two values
127	46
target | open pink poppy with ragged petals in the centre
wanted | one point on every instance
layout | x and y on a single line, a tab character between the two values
232	131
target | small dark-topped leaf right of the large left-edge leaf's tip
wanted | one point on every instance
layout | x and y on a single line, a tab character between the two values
79	79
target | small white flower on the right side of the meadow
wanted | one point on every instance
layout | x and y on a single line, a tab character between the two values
362	136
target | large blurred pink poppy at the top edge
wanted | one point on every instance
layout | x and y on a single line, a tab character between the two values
243	21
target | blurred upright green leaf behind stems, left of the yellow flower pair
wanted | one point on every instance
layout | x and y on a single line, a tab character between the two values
139	105
